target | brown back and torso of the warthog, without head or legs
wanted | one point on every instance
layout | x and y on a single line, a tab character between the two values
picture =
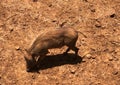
53	38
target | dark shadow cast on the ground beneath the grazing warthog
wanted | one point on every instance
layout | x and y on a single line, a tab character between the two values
58	60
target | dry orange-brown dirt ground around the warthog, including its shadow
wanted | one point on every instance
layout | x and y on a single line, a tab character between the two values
98	62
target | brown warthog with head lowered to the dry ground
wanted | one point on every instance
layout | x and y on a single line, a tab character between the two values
54	38
